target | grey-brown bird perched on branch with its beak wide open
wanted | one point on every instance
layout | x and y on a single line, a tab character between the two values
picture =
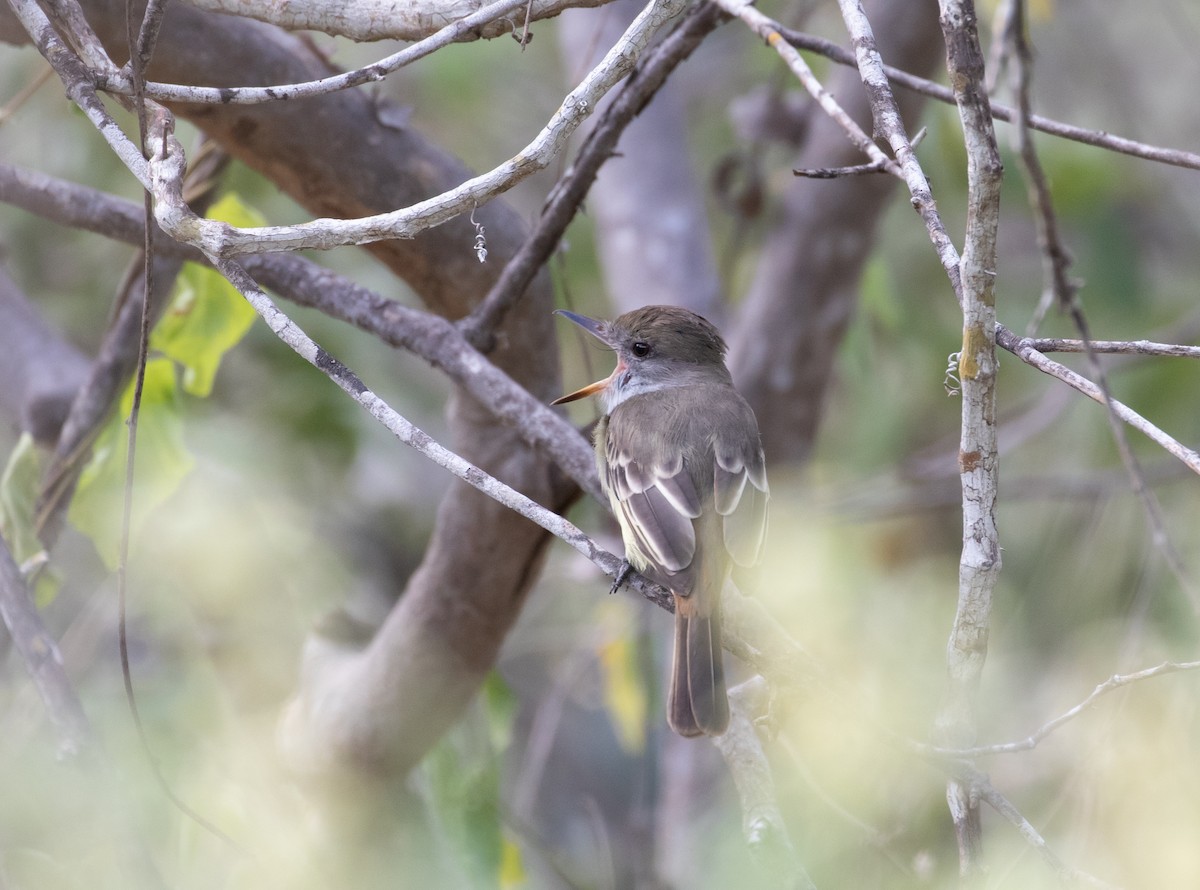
682	464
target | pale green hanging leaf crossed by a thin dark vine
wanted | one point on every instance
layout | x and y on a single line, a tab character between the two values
161	464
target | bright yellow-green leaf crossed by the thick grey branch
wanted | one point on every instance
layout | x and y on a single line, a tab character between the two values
207	316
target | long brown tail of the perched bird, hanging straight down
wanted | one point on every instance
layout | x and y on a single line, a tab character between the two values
697	700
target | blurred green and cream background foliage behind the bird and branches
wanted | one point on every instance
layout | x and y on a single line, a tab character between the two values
301	513
